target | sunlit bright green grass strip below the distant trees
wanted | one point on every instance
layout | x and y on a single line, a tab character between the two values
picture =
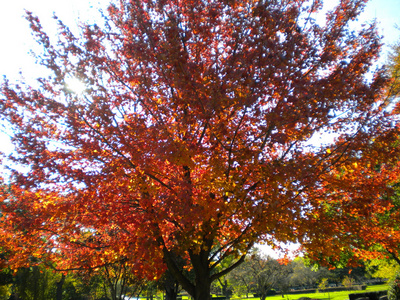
343	295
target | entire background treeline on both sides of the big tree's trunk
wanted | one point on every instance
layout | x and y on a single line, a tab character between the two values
259	275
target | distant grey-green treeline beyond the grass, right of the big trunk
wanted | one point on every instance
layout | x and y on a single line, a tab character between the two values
263	276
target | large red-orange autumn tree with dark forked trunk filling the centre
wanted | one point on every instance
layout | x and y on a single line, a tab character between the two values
196	136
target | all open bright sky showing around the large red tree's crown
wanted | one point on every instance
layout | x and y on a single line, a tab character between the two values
16	39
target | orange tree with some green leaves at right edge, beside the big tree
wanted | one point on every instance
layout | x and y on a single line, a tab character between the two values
361	176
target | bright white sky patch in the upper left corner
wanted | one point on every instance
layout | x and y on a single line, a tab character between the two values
15	33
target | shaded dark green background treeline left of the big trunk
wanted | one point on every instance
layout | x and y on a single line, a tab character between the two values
114	282
